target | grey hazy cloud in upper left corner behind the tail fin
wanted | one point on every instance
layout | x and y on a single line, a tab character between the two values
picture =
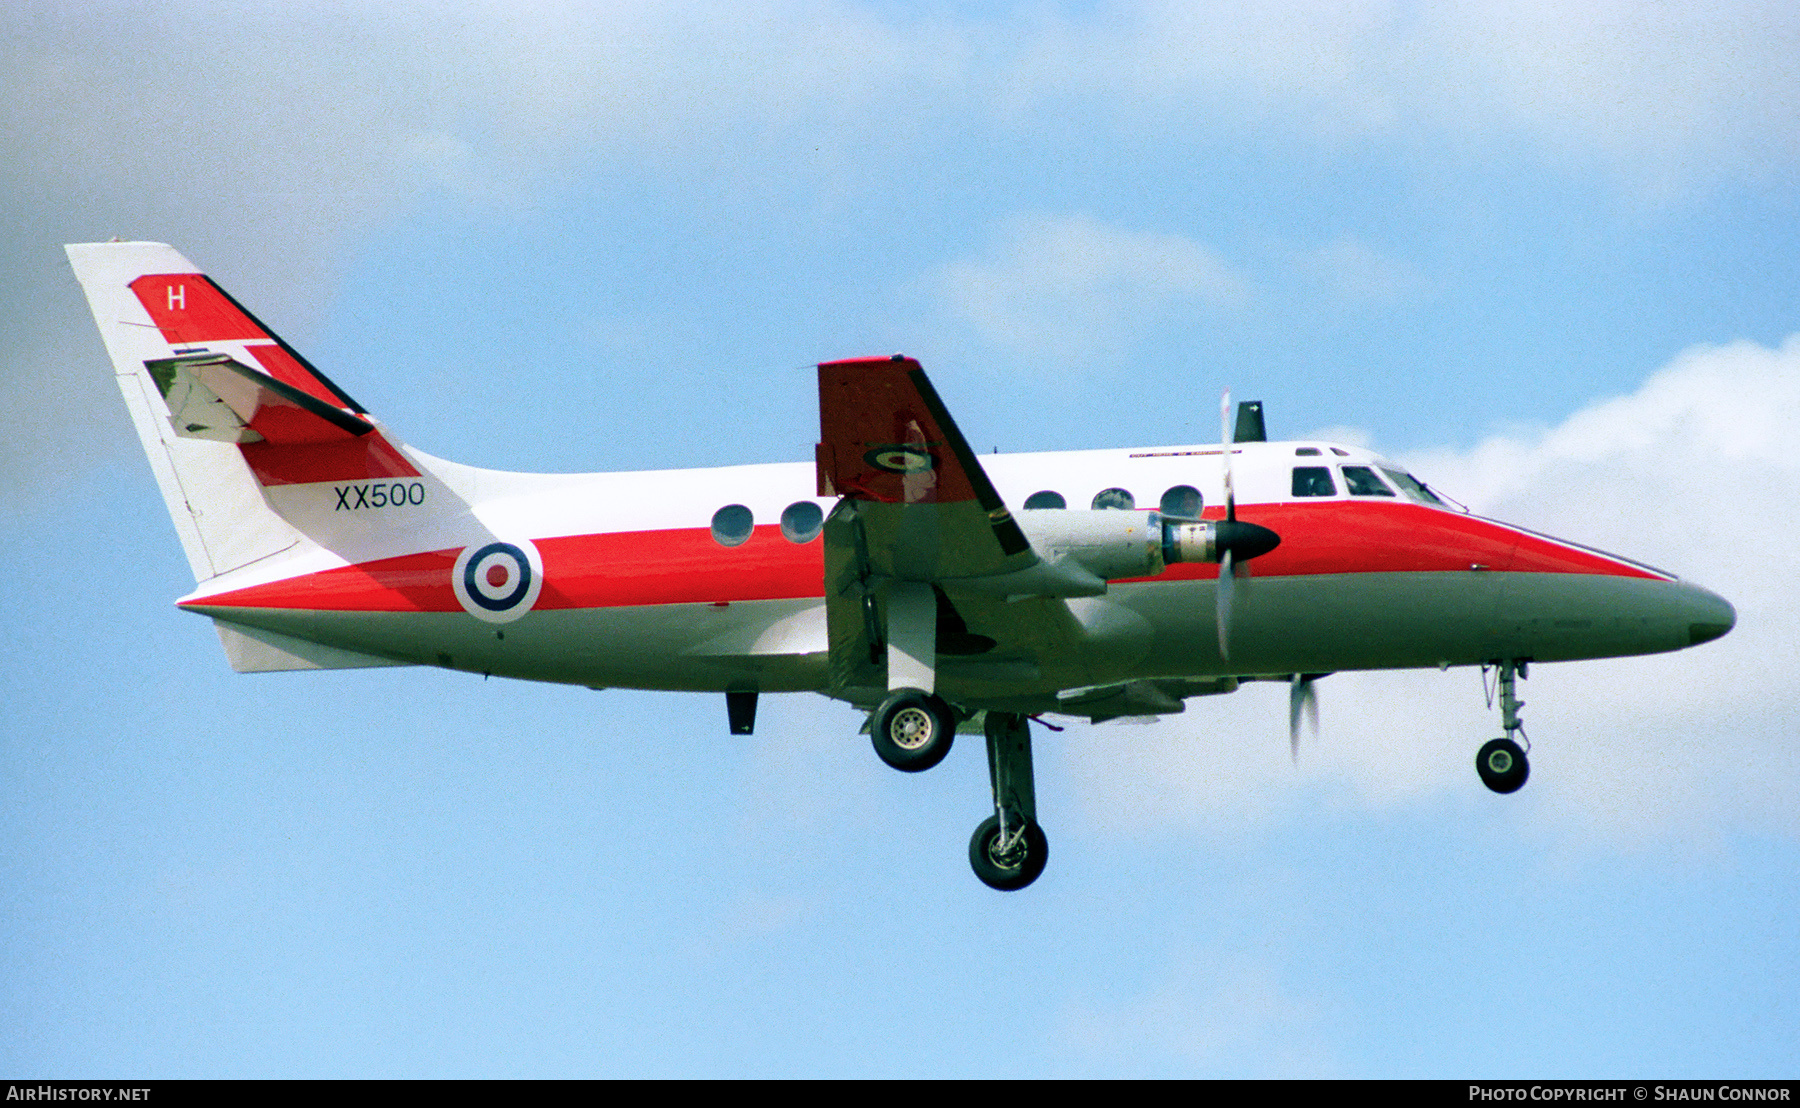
264	138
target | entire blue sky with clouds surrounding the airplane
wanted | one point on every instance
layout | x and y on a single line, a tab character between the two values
1545	255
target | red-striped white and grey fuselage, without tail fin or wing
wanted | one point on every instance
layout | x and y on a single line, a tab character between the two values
629	585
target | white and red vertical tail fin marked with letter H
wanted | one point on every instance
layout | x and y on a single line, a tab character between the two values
224	407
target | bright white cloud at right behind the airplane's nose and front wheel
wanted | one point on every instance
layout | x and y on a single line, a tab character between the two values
1695	472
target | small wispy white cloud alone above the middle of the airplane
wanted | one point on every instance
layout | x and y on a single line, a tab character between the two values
1072	285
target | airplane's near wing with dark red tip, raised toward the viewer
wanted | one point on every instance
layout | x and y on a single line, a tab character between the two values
921	553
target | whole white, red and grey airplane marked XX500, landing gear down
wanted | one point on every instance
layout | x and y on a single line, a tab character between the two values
933	589
